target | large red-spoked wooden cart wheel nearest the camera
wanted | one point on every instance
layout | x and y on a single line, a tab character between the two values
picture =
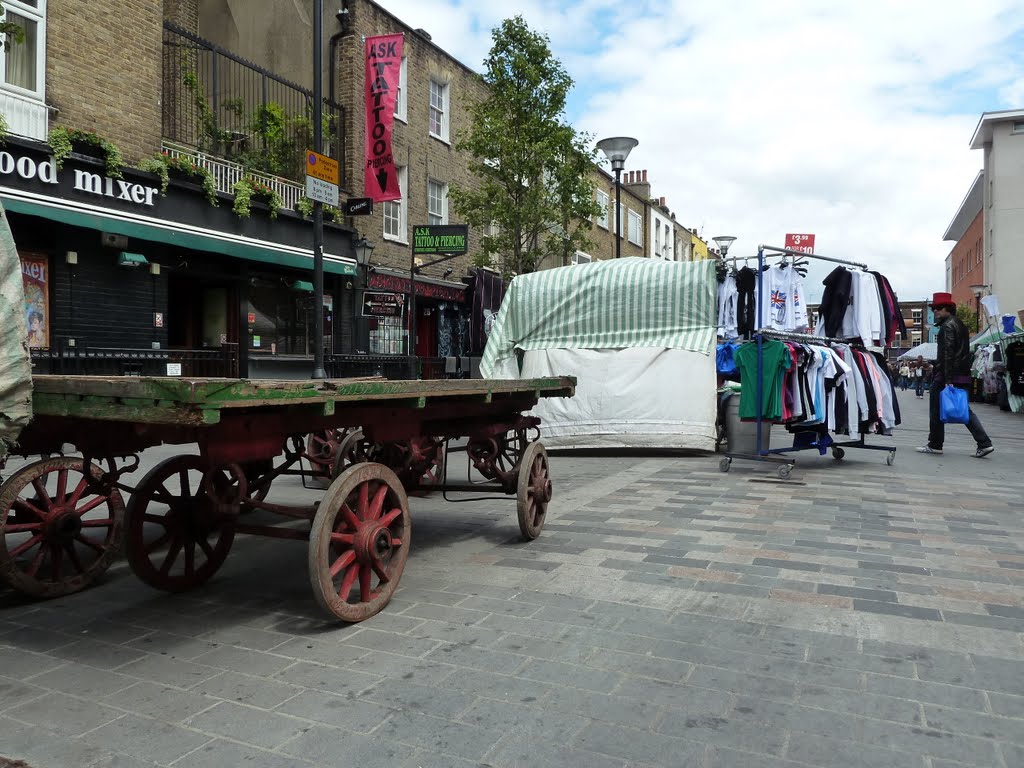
361	535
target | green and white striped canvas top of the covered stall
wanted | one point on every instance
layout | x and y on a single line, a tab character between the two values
630	303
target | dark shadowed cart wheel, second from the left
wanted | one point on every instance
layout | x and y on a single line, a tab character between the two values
179	535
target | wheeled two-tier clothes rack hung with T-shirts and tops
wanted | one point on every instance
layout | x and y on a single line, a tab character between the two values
815	385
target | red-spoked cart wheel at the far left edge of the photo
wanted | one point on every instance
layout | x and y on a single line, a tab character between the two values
58	532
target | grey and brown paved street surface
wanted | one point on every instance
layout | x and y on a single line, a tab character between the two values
670	615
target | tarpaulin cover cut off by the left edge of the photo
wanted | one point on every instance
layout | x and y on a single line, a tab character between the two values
16	367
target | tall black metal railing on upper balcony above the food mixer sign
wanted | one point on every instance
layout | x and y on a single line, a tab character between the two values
221	104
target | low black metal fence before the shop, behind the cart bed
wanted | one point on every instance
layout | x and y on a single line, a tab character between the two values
82	361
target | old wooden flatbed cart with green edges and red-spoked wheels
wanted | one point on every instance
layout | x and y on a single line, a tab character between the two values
63	519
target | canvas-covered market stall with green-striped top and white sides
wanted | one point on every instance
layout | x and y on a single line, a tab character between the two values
638	335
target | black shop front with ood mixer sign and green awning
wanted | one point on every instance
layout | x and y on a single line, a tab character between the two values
122	279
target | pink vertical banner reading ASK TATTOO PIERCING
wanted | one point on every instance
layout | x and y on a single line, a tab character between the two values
383	69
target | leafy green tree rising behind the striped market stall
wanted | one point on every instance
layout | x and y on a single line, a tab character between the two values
535	193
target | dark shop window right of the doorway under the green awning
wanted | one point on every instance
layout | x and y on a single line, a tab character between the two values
281	317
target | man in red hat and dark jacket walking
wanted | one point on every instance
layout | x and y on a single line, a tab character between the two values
952	367
